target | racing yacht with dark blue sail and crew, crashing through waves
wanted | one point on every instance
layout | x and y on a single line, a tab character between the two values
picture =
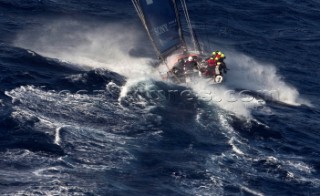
162	20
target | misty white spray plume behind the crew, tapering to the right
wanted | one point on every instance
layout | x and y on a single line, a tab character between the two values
247	73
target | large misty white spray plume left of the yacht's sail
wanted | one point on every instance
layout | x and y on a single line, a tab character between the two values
103	46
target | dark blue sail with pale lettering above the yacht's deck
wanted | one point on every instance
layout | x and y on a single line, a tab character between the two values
162	23
